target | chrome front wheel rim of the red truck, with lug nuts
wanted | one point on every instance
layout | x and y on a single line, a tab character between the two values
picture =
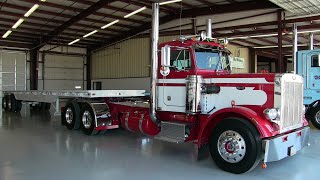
231	146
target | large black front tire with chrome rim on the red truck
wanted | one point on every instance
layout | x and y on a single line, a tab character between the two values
244	136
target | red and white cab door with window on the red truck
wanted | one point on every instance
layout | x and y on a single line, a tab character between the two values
172	88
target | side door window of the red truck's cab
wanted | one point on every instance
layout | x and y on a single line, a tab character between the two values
180	59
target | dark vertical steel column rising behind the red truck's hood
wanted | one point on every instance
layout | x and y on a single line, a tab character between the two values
280	67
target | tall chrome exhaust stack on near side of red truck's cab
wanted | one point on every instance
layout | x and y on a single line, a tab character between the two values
154	62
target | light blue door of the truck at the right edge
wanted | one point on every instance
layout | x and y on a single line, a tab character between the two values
313	70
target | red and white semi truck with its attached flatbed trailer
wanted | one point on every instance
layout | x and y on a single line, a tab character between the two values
241	119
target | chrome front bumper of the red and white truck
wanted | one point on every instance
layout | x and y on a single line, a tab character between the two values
286	145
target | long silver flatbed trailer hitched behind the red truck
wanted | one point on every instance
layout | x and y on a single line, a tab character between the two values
48	97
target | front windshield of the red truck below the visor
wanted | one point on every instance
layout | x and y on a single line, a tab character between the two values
208	59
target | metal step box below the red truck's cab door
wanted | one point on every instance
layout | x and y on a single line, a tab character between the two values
173	132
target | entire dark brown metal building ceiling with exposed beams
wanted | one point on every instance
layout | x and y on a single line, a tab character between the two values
61	21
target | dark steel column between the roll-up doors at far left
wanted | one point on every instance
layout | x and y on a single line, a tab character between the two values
33	69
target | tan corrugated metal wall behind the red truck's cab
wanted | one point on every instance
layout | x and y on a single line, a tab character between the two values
131	58
